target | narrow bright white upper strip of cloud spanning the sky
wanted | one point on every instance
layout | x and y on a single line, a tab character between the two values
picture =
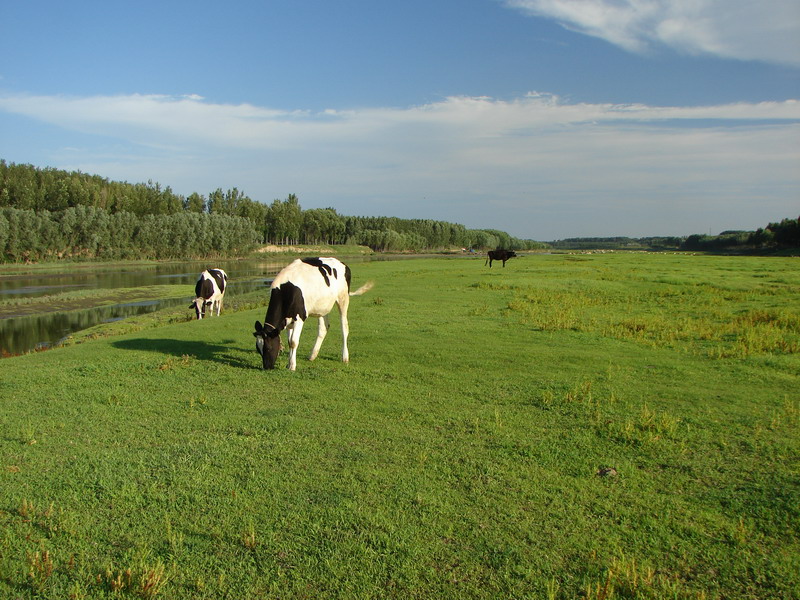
187	119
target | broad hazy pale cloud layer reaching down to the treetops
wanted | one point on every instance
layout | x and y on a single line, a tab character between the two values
536	166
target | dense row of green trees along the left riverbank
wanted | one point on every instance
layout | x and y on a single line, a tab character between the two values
54	196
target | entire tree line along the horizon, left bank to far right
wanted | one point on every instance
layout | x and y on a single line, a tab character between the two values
74	214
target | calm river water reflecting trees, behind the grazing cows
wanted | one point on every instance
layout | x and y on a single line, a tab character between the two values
20	334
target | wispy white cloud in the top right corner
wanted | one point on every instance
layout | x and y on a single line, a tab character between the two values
768	30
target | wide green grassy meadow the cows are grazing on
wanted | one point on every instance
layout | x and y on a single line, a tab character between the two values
570	426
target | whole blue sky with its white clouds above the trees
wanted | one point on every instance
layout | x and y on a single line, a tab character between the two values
544	118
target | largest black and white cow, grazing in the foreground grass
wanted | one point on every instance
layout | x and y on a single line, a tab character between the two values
308	287
